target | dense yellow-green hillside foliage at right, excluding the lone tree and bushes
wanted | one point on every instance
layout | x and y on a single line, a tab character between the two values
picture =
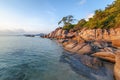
105	19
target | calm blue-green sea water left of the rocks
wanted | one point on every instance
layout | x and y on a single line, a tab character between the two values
25	58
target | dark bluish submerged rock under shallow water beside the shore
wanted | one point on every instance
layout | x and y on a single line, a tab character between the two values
89	67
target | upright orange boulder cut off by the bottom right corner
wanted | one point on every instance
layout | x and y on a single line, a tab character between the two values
117	66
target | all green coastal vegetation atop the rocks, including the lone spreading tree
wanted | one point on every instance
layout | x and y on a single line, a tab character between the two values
103	19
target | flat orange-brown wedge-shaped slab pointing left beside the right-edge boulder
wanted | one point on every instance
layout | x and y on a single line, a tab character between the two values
109	56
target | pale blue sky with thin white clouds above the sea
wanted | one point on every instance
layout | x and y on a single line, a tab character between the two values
42	16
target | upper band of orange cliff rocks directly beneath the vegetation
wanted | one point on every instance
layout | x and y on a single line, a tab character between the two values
87	34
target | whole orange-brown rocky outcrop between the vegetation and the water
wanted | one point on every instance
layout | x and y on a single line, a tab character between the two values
92	44
